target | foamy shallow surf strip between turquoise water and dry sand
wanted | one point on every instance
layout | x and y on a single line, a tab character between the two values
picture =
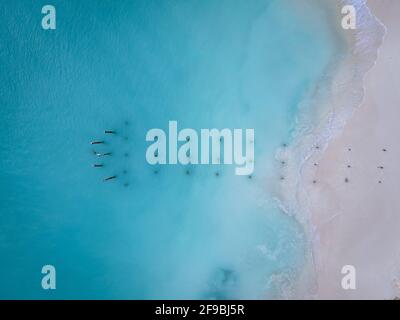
341	96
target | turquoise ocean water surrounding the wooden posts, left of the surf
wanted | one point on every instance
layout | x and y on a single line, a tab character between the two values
129	66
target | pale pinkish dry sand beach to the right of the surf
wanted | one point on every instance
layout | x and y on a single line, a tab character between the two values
358	222
